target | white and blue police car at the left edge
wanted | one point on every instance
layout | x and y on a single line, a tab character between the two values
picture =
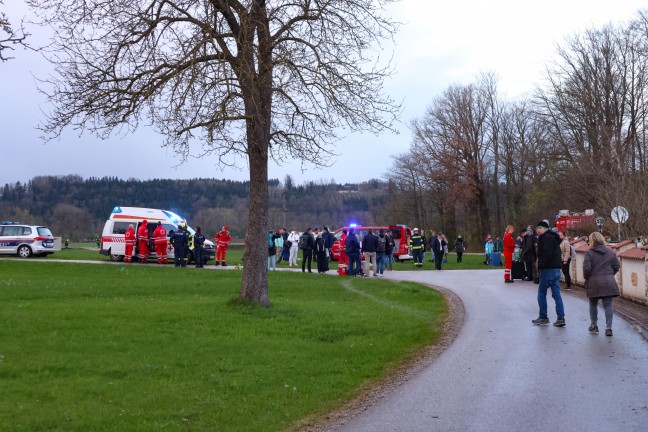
25	240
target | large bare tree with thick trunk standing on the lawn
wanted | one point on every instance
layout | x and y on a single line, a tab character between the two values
259	78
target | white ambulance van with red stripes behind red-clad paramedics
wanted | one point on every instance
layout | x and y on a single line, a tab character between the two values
113	241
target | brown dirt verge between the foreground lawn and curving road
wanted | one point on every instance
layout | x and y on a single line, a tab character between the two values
403	373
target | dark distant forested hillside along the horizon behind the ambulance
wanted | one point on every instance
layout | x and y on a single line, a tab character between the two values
77	208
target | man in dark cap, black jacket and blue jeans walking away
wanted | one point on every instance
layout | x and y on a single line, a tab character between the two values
549	265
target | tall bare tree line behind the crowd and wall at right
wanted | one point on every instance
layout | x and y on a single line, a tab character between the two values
479	161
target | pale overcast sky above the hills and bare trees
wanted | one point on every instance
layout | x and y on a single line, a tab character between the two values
440	43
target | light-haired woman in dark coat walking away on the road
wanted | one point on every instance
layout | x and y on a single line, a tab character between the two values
599	268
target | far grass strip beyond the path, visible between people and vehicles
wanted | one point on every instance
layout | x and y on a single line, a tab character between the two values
88	251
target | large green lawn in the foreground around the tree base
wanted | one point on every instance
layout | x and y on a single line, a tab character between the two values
132	348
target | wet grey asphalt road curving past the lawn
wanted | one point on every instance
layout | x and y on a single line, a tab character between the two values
504	374
